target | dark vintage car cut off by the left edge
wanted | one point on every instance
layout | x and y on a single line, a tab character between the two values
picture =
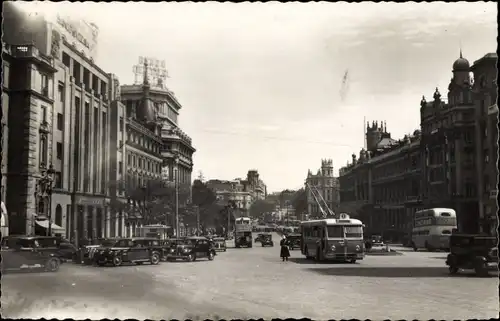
30	253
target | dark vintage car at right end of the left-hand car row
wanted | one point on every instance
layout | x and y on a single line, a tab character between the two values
191	248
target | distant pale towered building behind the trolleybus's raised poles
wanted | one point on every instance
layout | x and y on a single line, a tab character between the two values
326	185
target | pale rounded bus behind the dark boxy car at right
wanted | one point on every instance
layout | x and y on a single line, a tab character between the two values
432	228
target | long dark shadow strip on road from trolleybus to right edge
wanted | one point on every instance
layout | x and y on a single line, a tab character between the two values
392	272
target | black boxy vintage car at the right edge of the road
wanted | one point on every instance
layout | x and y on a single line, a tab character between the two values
474	252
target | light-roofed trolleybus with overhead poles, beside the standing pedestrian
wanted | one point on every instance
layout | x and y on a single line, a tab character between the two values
333	239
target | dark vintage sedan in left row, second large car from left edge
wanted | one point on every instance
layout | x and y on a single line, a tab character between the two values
127	250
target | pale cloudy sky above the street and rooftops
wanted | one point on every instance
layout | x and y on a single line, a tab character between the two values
261	85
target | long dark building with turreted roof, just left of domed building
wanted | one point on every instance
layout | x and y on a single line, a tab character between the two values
381	187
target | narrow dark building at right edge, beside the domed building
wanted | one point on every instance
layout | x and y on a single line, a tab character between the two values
485	92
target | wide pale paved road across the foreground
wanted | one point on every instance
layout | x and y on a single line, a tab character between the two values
254	283
